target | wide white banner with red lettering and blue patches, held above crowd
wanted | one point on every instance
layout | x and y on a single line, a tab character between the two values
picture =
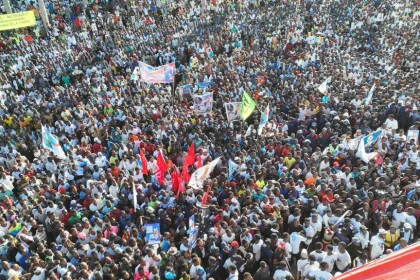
164	74
